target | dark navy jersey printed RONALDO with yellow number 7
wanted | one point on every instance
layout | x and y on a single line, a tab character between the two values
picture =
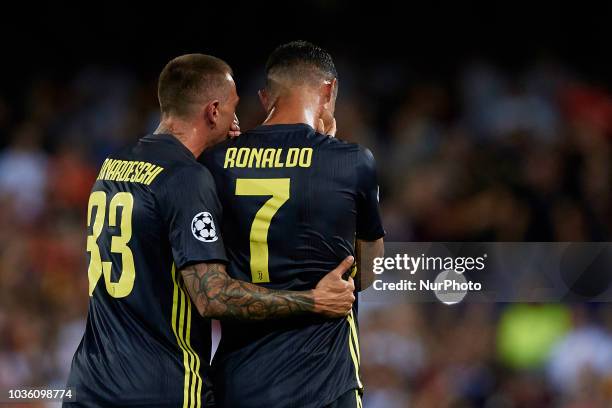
294	202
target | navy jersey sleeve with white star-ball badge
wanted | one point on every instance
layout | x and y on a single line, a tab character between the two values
192	212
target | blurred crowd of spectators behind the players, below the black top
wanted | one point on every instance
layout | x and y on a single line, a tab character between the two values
487	155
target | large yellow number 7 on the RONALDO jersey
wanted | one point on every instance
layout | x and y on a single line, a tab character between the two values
279	190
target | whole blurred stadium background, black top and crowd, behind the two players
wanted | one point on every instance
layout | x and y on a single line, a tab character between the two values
488	124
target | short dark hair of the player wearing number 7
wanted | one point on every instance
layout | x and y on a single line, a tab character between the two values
300	60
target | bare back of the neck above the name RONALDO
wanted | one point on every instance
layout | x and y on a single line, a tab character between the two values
290	109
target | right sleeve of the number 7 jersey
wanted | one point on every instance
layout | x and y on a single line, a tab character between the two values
369	223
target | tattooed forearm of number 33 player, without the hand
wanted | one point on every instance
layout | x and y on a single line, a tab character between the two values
217	295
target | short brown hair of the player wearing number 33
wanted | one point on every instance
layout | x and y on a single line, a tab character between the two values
189	79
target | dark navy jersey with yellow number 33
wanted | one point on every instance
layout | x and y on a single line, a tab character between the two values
152	211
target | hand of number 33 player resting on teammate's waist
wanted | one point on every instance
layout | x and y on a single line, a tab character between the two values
333	295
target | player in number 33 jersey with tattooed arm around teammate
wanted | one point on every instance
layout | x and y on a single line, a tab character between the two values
153	237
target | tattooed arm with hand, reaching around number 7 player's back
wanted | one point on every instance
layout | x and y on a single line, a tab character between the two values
217	295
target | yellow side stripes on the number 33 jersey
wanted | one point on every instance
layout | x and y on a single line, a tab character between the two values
192	381
